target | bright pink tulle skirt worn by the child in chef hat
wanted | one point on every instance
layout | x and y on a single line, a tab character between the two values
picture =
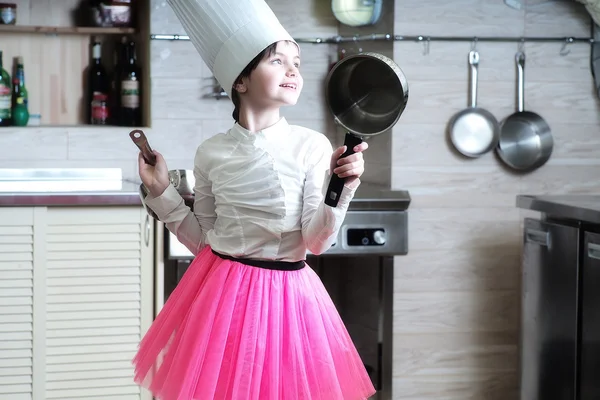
230	331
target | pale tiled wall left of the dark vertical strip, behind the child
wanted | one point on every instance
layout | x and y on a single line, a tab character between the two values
181	117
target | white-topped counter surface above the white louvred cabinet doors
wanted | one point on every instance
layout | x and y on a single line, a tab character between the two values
66	187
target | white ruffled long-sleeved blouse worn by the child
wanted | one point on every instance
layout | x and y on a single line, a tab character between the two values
258	195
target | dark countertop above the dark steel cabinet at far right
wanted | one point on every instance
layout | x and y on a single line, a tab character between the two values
584	208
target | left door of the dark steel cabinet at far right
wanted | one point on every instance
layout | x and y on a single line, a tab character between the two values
549	311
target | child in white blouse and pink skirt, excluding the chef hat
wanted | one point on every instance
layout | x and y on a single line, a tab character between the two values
250	320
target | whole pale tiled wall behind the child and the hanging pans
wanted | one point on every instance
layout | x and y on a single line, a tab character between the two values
457	291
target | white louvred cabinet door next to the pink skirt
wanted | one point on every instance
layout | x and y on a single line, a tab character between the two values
99	299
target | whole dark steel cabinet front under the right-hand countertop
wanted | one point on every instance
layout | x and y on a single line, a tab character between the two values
560	319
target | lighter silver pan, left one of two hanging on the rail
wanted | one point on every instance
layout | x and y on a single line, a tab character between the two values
473	131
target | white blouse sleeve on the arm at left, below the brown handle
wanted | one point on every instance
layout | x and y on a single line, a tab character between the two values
190	227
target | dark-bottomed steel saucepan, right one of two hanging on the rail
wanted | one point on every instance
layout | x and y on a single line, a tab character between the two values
525	138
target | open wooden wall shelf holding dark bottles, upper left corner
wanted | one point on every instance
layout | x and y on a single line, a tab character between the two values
57	53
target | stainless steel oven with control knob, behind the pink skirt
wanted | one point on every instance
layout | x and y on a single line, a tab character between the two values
358	272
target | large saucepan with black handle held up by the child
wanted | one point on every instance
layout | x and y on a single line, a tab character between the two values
366	93
